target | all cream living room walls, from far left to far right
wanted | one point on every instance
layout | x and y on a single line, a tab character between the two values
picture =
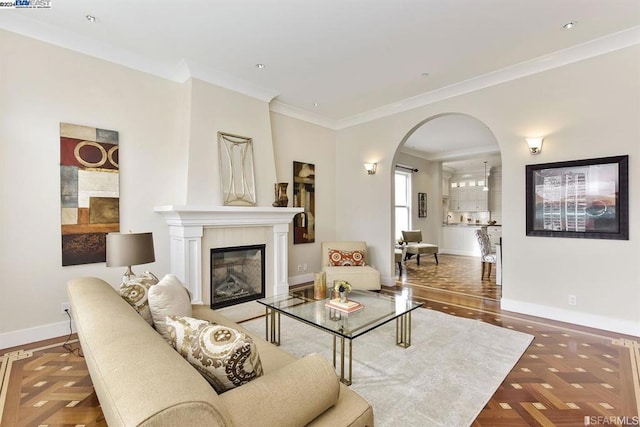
586	109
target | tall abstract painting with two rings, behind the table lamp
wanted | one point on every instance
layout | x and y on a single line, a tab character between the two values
89	192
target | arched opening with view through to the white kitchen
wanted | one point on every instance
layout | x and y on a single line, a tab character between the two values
455	164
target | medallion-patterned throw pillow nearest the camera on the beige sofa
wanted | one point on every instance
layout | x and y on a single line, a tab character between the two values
225	357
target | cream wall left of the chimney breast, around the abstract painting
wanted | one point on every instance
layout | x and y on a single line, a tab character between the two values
41	86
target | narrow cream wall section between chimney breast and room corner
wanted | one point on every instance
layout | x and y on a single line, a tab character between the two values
295	140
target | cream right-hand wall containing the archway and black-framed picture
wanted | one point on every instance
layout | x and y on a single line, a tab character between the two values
586	109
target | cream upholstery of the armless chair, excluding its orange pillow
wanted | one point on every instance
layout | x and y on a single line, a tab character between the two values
361	277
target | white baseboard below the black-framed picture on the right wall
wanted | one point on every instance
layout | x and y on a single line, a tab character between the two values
597	321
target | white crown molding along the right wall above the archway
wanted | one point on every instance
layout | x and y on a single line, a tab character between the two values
596	47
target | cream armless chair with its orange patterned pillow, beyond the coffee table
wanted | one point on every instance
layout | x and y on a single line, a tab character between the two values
348	261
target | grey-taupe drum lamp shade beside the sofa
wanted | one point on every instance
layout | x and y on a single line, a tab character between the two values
125	250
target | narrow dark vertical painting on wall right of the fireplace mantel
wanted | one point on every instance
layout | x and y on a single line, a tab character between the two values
304	196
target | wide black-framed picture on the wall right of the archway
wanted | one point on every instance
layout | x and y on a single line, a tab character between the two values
579	199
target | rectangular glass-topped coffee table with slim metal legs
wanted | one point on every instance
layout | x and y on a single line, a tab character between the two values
378	310
